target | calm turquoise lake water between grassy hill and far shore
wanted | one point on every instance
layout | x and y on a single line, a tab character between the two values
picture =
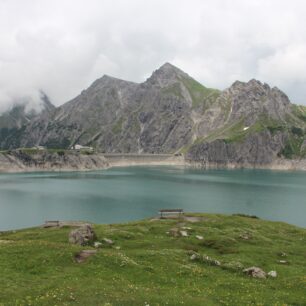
124	194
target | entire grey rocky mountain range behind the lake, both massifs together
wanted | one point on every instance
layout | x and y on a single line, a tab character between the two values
247	124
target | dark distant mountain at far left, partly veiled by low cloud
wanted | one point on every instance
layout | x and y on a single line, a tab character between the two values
13	121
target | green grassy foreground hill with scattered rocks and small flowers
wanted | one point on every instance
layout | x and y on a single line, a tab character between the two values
148	265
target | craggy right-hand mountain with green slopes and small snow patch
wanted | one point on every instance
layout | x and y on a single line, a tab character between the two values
261	125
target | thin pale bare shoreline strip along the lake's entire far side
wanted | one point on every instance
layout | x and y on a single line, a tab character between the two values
74	161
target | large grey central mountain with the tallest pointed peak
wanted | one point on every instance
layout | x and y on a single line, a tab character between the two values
119	116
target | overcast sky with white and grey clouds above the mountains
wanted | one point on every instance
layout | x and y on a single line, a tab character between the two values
62	46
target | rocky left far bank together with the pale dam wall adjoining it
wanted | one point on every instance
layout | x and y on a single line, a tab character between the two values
61	160
